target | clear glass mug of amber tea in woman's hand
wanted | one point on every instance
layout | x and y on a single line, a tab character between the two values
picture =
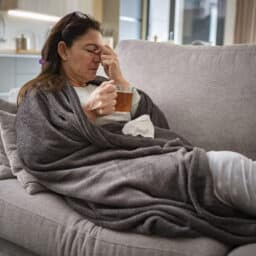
123	101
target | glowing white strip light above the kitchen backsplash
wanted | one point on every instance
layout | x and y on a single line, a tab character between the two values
33	15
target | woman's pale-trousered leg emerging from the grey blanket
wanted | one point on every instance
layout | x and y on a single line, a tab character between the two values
234	178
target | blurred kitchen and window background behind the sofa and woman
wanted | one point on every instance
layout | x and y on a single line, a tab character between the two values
25	24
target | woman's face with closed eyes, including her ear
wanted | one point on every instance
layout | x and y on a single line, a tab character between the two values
81	61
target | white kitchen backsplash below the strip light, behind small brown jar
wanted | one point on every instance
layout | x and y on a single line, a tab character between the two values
34	31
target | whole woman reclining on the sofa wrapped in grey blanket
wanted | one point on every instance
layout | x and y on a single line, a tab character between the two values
70	138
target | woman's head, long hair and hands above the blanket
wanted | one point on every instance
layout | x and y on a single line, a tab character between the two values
79	63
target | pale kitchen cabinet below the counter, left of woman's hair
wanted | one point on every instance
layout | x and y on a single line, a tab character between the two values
16	70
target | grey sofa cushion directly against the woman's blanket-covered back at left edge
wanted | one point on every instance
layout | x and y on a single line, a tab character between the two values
8	137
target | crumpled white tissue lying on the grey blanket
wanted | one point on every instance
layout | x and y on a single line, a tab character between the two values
140	126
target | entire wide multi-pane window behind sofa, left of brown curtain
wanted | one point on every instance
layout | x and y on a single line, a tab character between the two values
185	21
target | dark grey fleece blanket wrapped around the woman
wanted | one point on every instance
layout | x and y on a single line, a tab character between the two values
158	186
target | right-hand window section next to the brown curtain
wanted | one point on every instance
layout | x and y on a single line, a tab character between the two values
202	20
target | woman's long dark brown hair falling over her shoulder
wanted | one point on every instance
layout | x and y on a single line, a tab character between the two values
67	29
